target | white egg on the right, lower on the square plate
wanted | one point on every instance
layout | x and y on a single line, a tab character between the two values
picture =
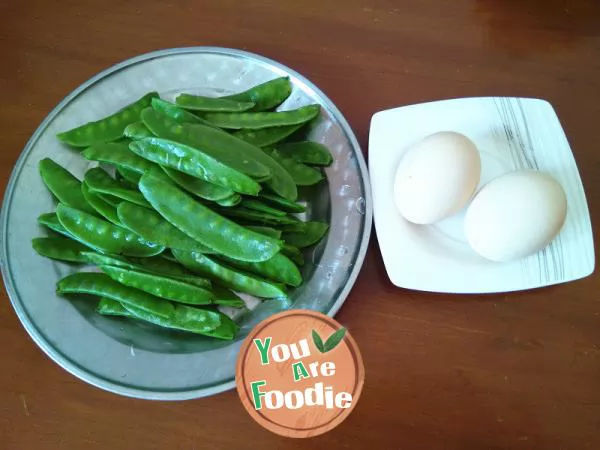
515	215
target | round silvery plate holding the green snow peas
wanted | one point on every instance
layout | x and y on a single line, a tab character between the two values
138	360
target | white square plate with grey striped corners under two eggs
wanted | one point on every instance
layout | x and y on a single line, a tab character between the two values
511	134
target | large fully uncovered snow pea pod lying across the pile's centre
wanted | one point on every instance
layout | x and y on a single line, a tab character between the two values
203	224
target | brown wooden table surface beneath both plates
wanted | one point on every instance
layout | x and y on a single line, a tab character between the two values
520	370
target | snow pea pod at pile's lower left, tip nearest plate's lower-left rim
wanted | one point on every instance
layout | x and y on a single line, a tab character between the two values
102	285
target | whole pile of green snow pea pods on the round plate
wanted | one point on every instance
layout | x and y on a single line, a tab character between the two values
191	203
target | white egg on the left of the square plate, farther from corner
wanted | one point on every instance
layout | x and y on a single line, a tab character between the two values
437	177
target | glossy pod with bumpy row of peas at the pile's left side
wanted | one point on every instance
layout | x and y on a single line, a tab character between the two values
104	236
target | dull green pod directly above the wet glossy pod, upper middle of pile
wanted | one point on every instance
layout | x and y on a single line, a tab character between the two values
187	134
